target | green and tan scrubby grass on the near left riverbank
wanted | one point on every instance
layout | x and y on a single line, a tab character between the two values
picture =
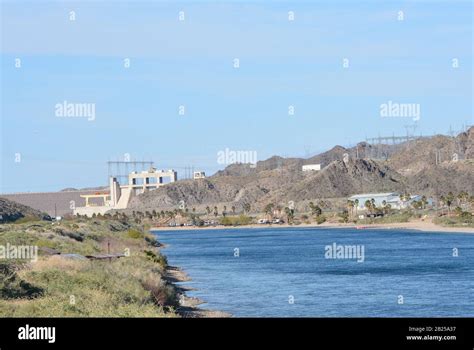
131	286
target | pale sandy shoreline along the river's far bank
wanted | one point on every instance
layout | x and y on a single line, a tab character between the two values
423	226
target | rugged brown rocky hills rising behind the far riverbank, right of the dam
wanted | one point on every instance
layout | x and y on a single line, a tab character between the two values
431	166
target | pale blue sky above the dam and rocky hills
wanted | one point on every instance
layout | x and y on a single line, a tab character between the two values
190	63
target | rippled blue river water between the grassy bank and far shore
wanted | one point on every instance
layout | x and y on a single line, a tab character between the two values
310	272
